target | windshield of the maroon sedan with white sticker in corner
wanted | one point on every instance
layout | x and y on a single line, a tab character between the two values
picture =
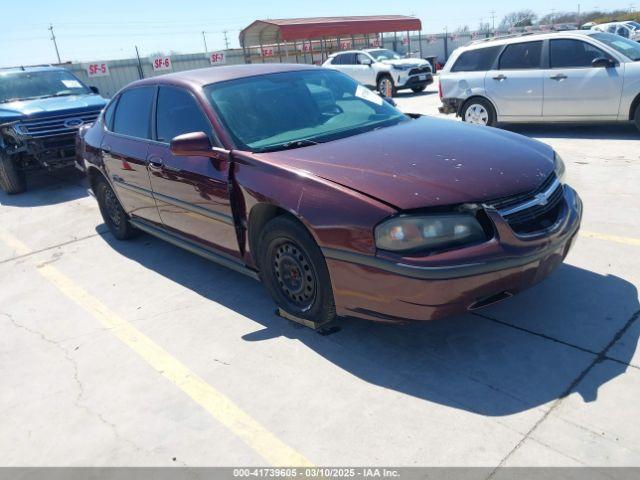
295	109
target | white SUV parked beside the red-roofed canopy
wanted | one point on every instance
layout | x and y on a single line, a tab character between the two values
383	69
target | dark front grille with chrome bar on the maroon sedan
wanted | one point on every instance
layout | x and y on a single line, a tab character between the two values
532	211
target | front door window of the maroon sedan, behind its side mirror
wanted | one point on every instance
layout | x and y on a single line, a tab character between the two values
178	113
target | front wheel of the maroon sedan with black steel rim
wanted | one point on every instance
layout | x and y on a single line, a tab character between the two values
294	271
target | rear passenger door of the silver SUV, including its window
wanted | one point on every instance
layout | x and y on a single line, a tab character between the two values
516	86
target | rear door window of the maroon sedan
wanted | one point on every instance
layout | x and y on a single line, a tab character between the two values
133	115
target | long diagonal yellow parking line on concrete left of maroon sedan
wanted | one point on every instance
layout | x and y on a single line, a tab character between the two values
257	437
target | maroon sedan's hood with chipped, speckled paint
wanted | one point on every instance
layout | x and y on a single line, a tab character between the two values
427	162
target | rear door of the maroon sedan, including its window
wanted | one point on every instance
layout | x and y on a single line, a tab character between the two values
125	145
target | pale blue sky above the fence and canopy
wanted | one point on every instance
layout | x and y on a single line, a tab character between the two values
110	29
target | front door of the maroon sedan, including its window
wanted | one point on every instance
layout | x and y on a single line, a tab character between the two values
192	193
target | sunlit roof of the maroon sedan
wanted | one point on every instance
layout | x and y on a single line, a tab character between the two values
206	76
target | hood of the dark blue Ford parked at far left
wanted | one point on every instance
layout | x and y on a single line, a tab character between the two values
47	106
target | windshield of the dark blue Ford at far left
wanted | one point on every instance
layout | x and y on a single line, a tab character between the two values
24	85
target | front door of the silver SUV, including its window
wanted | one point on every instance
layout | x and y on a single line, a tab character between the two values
574	88
